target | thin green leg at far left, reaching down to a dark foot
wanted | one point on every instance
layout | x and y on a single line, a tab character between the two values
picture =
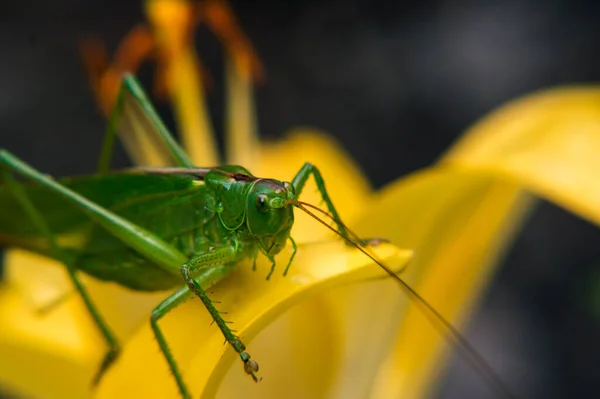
38	219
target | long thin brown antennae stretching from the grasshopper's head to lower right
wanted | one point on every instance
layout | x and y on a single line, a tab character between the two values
439	322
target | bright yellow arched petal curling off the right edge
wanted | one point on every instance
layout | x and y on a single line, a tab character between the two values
548	142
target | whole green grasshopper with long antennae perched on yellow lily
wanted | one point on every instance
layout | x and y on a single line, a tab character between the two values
152	229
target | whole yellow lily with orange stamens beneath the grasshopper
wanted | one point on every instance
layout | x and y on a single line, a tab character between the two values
356	340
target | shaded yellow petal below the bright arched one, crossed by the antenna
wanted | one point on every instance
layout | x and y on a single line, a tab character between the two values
458	223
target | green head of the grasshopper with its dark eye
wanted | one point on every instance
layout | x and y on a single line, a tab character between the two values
268	217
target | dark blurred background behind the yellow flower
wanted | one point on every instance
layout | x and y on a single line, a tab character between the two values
398	82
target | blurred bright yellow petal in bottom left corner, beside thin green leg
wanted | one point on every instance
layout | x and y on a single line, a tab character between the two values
40	353
